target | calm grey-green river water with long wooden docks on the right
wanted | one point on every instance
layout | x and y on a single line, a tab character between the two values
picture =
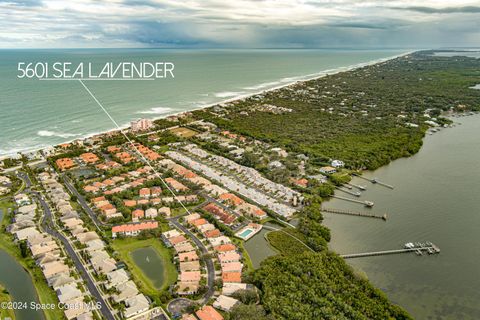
436	198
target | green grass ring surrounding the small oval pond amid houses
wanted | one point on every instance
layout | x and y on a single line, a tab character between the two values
125	246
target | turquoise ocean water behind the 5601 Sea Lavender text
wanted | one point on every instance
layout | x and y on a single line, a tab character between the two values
39	113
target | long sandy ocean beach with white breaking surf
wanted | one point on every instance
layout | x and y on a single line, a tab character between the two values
295	80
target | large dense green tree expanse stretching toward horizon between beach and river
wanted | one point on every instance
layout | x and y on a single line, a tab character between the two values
363	128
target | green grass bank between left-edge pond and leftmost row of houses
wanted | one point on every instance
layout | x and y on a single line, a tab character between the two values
44	292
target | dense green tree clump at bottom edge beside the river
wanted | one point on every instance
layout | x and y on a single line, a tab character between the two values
320	286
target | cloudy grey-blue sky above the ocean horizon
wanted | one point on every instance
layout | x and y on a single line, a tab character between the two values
239	23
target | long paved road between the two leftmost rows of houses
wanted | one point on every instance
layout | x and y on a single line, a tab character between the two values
48	226
